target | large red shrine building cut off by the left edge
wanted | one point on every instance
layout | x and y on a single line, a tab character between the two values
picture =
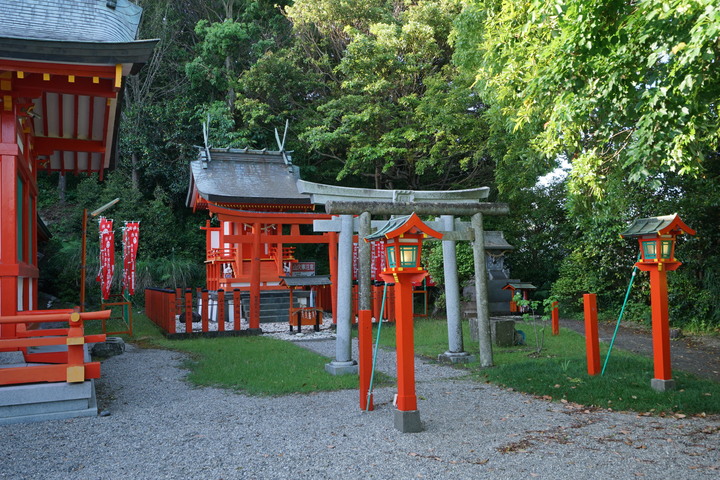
63	65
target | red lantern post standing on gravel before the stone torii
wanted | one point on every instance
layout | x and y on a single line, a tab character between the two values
403	238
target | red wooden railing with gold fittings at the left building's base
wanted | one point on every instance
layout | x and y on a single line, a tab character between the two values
60	366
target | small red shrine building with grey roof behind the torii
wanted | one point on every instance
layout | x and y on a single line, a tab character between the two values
262	217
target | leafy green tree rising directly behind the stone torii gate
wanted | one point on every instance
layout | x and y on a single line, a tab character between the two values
400	114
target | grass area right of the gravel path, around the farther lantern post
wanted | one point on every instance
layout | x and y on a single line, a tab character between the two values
559	372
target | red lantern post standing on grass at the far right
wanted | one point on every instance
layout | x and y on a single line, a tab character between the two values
656	237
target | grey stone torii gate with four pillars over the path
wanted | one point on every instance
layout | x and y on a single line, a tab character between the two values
347	202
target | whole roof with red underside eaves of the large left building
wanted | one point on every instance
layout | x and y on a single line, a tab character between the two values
69	59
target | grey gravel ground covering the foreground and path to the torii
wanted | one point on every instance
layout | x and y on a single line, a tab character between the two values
161	427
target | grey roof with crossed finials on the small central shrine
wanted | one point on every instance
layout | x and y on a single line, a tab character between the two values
246	178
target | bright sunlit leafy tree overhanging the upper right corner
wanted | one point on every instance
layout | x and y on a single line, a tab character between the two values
621	88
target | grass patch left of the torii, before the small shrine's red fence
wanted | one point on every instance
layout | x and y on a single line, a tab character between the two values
256	365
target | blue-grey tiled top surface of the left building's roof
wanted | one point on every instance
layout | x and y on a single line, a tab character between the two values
70	20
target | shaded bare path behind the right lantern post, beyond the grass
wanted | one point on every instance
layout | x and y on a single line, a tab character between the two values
695	354
